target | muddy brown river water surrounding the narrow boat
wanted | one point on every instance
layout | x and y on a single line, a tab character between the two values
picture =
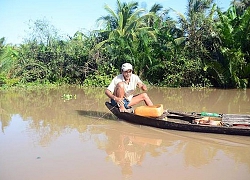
48	135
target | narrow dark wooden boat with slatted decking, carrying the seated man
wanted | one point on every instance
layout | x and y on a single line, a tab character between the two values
232	124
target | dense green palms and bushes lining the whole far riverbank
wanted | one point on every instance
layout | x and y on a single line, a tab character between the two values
206	47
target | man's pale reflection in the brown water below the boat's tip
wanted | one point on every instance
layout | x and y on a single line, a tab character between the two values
127	149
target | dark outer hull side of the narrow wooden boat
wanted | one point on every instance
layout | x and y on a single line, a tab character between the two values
186	125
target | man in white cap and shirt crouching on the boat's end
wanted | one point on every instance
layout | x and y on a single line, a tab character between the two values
121	89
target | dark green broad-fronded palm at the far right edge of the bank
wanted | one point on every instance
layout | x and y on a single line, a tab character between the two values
232	69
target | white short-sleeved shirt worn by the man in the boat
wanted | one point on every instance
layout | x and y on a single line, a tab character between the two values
128	88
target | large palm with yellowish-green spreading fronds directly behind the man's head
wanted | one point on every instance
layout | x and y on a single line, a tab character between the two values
124	29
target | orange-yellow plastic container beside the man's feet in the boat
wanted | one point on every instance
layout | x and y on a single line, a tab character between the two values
149	111
